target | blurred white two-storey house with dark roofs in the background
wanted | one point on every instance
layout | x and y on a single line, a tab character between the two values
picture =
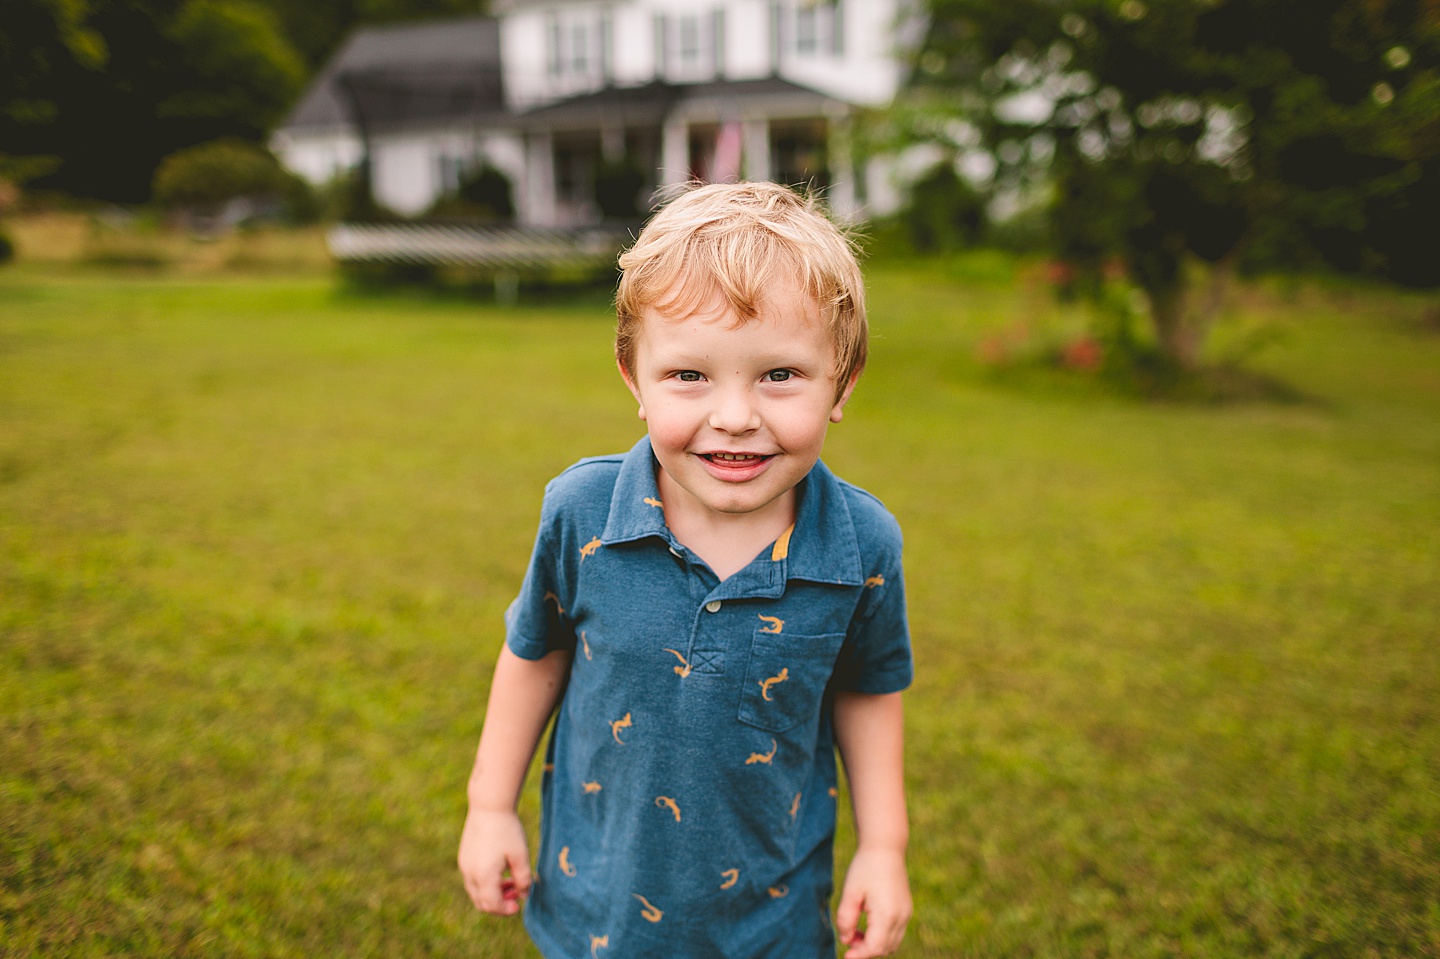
574	100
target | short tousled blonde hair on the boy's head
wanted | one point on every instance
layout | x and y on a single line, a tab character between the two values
738	241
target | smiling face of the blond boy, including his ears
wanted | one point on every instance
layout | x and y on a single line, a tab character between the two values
737	411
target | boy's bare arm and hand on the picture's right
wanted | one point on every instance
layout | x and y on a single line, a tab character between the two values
870	734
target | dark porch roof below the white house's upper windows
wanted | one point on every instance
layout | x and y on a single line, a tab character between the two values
650	104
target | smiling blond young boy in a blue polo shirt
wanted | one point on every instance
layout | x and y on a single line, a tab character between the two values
715	613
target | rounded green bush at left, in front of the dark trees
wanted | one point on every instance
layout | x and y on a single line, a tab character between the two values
211	175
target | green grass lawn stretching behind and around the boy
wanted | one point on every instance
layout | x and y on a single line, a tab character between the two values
1179	676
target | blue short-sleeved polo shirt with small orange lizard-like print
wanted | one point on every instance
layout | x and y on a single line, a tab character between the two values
689	800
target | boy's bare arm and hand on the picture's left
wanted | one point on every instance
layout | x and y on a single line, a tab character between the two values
522	698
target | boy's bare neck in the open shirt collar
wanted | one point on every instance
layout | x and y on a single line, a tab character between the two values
726	542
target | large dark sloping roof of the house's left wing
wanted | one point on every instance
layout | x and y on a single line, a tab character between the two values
408	73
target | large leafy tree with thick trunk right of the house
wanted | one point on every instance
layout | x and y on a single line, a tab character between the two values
1183	136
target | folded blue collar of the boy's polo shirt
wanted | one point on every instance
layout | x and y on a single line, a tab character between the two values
823	546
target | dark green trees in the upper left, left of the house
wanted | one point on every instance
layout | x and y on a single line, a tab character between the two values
175	73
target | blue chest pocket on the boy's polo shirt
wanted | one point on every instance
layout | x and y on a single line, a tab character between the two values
787	679
